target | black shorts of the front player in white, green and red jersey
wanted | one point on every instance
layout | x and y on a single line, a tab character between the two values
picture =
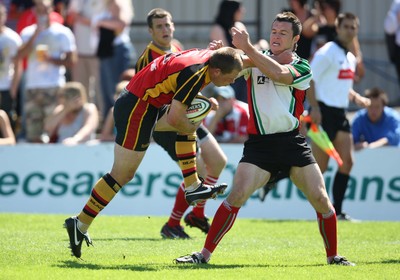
277	153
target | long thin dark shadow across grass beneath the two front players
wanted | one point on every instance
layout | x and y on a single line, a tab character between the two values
80	264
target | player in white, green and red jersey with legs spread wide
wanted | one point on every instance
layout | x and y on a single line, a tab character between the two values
276	93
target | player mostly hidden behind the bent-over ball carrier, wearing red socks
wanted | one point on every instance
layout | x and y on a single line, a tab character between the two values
210	158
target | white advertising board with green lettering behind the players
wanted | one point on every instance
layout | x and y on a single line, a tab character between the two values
58	179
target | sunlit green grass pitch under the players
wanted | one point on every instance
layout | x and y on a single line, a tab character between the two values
35	246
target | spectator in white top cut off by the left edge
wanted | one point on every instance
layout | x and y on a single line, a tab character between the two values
10	67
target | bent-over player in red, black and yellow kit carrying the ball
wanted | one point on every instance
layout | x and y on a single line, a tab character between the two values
171	81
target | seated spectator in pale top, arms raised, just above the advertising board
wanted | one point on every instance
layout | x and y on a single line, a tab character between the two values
75	120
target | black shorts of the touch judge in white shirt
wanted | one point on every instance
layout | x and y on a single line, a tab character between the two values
333	120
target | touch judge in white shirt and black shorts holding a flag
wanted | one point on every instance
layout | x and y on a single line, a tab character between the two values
333	70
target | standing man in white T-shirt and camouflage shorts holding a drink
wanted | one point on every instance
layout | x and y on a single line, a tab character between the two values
50	49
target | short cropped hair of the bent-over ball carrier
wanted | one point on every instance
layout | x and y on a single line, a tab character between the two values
227	59
